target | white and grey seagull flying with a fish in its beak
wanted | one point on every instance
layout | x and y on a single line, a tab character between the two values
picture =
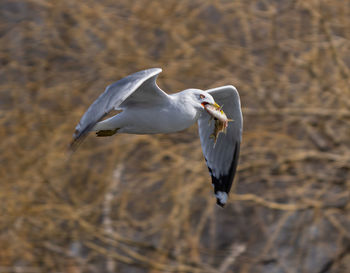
146	109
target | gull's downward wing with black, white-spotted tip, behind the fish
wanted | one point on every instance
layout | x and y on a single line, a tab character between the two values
222	158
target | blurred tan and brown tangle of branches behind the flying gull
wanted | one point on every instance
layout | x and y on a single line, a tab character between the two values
134	204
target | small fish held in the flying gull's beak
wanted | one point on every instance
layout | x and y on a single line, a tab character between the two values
221	120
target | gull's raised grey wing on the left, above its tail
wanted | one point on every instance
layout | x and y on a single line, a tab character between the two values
138	87
